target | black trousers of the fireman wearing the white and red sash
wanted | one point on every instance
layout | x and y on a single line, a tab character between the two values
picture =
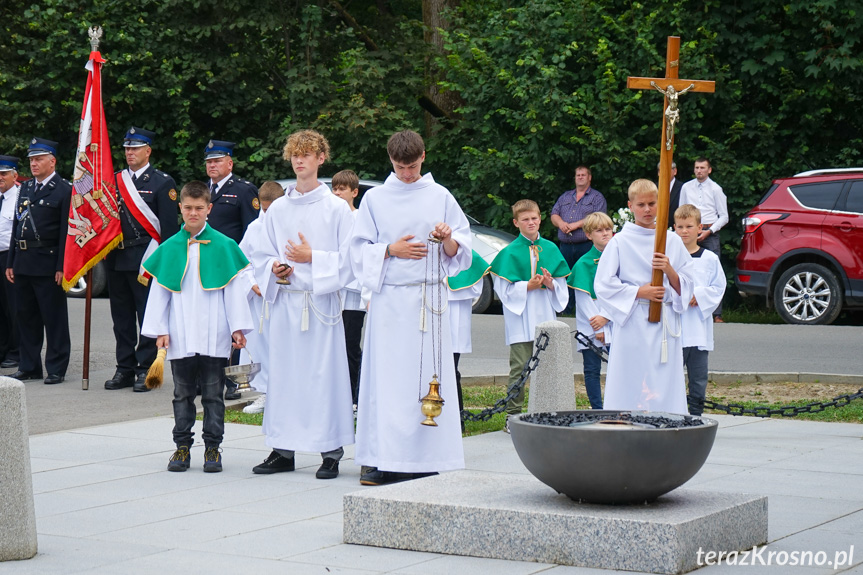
135	353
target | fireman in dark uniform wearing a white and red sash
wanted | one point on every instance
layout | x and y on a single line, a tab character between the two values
127	290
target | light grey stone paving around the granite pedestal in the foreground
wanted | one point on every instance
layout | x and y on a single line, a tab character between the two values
106	504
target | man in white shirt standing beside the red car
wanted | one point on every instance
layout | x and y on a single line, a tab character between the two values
707	196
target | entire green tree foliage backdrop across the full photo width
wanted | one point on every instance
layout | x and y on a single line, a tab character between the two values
542	85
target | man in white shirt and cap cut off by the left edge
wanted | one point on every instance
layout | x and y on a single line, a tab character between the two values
8	198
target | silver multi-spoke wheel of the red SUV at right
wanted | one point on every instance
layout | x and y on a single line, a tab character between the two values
808	294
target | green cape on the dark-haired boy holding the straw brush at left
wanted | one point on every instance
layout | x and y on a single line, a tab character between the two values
220	260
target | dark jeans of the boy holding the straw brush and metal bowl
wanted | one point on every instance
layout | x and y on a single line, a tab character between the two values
208	373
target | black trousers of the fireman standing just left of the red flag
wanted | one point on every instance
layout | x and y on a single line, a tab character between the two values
42	309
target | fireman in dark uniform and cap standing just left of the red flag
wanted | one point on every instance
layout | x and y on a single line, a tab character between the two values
35	266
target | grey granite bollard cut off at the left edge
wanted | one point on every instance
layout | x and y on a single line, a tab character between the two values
17	513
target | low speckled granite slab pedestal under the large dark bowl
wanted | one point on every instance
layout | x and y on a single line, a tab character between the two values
515	517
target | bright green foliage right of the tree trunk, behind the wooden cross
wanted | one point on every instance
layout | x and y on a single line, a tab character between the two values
544	83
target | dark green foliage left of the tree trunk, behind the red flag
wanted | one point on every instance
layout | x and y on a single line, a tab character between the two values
194	70
